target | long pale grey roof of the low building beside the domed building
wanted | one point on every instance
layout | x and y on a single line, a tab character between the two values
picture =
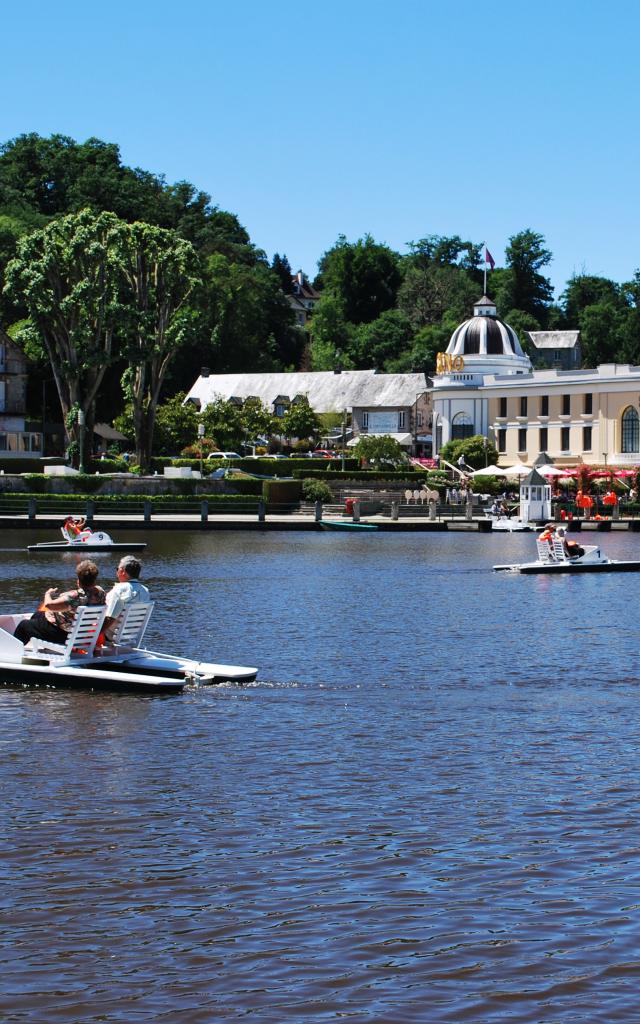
327	392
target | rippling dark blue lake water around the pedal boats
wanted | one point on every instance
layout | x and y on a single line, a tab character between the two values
425	810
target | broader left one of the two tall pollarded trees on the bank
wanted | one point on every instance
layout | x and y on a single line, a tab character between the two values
68	278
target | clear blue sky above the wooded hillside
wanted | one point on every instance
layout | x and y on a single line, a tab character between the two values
399	119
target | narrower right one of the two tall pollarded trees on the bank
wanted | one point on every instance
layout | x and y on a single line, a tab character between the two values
160	272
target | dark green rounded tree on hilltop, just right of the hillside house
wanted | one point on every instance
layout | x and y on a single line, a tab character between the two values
364	276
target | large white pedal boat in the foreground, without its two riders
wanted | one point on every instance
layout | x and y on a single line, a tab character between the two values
122	665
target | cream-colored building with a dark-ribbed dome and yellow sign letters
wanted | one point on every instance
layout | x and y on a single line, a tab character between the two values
486	387
